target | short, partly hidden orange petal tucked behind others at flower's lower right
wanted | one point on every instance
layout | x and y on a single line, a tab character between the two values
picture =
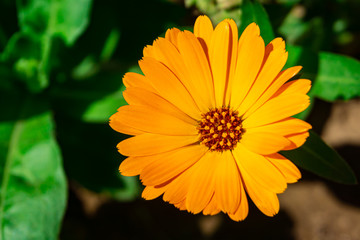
290	172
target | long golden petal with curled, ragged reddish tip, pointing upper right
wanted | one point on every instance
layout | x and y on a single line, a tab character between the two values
272	65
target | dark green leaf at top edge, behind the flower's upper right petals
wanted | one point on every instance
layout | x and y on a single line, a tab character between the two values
254	12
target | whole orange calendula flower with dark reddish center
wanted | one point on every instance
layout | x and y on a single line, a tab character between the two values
208	118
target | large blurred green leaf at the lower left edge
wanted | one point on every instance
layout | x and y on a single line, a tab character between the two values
33	184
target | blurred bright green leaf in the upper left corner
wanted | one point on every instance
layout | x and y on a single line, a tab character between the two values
40	21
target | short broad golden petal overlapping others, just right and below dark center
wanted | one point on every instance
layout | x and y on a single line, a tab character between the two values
264	142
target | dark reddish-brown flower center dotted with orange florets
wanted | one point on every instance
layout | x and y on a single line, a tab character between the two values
220	129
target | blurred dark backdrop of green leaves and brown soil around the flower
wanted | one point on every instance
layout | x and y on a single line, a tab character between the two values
61	68
